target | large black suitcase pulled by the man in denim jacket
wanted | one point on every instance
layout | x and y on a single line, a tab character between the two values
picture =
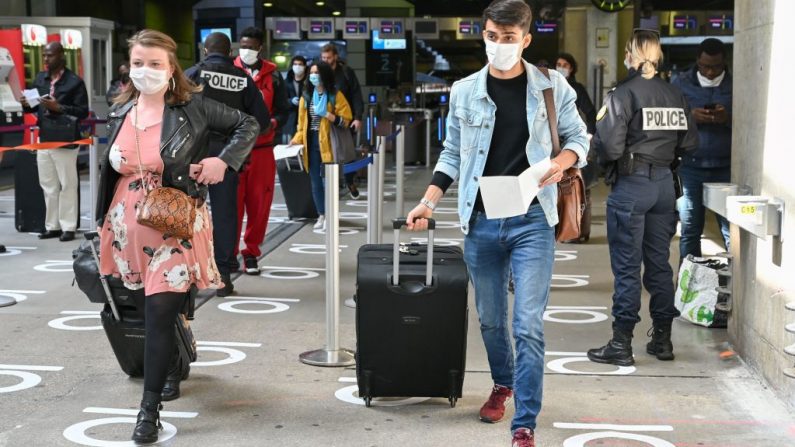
411	320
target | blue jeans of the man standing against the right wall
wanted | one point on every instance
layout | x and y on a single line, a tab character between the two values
691	207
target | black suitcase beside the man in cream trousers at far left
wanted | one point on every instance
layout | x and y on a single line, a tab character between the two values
29	209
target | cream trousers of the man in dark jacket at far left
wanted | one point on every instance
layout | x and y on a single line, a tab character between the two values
59	181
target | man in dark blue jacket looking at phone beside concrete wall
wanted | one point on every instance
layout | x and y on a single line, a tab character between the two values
708	89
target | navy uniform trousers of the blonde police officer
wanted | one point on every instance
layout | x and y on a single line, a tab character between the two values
641	221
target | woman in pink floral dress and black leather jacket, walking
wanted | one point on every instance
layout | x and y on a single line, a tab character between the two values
161	117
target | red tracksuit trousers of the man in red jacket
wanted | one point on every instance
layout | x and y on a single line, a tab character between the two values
254	198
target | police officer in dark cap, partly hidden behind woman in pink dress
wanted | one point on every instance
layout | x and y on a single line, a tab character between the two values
230	85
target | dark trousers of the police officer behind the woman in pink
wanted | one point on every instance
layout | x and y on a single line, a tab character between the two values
223	201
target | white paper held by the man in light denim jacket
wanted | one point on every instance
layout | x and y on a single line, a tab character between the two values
508	196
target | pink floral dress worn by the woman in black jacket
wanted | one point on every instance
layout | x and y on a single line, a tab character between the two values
138	254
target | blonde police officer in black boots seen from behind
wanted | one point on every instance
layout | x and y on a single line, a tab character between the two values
644	125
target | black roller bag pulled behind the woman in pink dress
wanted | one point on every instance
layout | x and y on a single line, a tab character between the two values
123	314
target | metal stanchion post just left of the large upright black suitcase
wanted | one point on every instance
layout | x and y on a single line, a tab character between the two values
332	354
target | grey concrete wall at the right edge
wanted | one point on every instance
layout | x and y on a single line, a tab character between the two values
763	158
